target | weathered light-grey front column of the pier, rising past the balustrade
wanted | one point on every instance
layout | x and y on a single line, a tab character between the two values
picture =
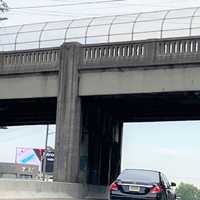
68	121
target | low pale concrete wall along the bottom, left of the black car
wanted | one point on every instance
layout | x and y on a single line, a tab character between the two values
29	189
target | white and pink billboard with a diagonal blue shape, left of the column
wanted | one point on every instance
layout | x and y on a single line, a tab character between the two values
29	156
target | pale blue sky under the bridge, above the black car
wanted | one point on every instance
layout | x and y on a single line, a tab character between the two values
171	147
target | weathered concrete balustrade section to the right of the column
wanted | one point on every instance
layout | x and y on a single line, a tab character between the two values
142	53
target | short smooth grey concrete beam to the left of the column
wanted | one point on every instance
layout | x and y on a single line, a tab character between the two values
28	85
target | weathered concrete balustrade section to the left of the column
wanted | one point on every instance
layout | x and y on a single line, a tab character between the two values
29	60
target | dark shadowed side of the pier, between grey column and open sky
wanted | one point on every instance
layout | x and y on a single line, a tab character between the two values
104	139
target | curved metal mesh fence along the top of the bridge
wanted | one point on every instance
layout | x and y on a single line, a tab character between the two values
129	27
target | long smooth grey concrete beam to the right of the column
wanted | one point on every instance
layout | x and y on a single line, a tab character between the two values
133	81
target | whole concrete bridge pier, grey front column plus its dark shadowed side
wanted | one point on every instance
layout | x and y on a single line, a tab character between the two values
88	138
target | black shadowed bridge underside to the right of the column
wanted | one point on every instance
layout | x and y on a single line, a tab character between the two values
150	107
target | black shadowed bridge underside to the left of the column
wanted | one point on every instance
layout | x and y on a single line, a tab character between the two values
27	111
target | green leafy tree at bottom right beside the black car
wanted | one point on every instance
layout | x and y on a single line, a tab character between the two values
188	192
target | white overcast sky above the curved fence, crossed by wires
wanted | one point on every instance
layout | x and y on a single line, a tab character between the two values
74	11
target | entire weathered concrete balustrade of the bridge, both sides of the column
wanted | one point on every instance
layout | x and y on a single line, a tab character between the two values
109	55
